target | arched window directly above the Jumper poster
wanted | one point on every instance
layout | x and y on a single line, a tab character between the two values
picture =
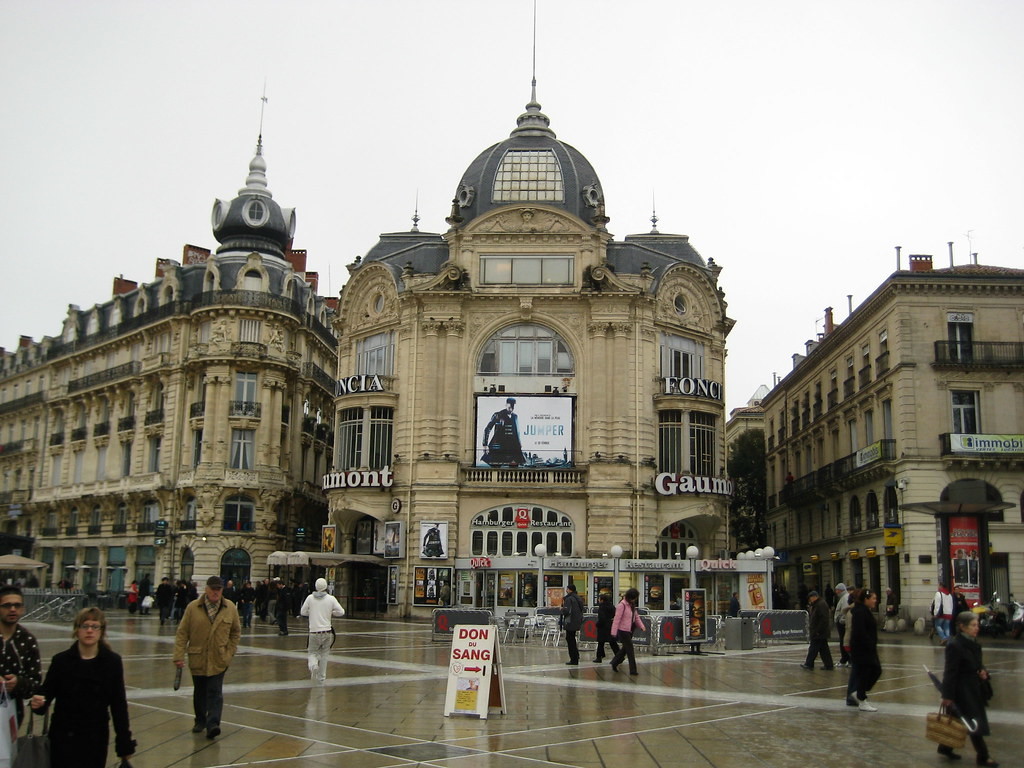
527	350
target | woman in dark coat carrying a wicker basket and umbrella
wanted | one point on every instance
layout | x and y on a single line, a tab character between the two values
965	684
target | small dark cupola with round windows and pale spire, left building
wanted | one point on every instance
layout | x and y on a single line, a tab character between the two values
253	222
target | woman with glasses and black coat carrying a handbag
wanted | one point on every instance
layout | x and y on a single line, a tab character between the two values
88	682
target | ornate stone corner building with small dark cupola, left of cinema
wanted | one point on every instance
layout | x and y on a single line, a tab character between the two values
177	424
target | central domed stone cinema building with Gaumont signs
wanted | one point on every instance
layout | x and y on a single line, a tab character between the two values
524	395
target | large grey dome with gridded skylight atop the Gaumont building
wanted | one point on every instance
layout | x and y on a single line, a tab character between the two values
532	166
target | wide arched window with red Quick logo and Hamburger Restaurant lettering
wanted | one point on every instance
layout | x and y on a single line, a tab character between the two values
508	532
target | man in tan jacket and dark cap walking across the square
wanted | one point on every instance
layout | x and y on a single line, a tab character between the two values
209	634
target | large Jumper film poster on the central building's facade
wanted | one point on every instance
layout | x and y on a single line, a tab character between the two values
530	432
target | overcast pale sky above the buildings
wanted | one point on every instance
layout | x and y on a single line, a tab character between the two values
796	144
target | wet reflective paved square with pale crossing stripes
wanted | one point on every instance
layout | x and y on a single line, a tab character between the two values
385	700
